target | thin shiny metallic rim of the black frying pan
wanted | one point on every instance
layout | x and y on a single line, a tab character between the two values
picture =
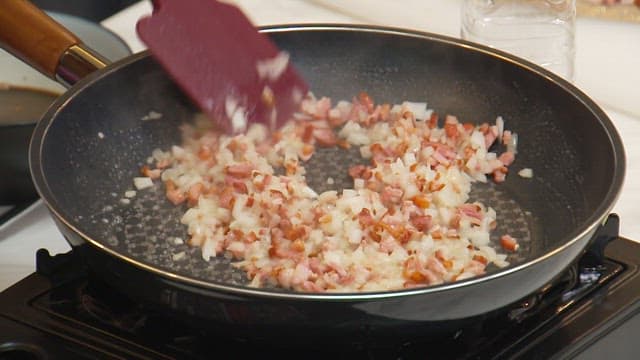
588	226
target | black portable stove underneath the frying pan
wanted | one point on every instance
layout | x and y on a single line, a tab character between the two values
589	311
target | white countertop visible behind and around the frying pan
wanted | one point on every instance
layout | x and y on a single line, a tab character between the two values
607	69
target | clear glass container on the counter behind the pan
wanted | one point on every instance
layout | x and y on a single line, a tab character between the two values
541	31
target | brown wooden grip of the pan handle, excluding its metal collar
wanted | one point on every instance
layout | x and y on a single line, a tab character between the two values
30	34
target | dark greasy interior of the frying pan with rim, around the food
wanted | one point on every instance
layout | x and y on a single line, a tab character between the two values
88	148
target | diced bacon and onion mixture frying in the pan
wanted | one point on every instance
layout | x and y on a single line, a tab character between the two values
406	222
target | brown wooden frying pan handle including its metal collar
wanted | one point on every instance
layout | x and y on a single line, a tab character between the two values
31	35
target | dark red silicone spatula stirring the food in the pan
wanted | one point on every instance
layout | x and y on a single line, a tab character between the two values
233	73
